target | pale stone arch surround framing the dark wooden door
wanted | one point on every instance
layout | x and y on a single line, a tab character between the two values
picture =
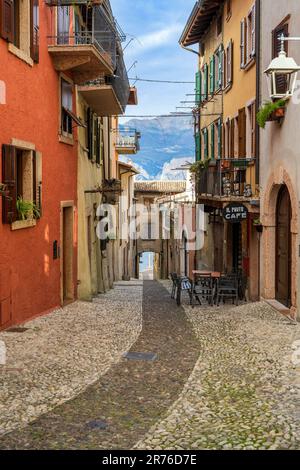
277	179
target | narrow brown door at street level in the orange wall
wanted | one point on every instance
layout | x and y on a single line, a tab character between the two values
67	287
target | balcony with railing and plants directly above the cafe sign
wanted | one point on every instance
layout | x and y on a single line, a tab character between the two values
228	180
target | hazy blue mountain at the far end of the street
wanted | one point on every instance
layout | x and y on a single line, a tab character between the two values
163	140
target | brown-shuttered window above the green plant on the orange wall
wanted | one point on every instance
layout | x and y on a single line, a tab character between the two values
22	173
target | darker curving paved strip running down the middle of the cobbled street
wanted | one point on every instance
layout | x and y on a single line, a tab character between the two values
132	396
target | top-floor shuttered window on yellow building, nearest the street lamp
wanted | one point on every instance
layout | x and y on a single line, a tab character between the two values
248	38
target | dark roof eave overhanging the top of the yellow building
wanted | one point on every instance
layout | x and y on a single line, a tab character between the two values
199	21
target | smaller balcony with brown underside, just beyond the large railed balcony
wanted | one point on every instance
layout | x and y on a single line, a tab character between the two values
108	96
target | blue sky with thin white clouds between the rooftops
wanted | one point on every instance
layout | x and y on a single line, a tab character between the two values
156	26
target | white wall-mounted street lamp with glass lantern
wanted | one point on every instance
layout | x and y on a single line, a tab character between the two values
282	73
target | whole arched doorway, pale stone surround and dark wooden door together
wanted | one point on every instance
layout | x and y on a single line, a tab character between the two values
280	239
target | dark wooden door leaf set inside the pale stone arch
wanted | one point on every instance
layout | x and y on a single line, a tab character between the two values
283	247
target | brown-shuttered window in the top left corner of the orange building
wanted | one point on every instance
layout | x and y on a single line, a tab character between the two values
16	14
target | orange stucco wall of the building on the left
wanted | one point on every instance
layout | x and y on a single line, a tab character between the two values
29	275
